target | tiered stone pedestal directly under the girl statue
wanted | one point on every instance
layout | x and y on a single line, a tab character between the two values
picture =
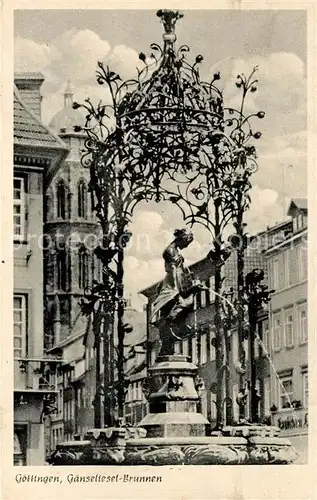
173	400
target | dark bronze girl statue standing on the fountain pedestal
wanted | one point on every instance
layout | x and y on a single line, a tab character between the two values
177	292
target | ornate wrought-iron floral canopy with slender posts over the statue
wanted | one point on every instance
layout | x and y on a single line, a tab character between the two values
167	135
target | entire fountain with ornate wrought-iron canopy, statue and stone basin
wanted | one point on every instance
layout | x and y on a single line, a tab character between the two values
174	140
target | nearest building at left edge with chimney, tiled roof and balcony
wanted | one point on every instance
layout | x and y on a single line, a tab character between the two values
38	154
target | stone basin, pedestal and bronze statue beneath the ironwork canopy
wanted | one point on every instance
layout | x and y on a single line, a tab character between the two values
174	432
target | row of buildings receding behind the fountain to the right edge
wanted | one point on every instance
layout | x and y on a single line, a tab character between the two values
281	338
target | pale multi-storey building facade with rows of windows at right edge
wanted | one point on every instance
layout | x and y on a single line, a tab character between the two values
287	385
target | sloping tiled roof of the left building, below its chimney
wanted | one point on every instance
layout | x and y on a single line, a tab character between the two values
28	130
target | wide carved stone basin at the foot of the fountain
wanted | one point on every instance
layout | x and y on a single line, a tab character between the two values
119	447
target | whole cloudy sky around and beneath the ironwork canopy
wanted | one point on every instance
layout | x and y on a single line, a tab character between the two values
66	45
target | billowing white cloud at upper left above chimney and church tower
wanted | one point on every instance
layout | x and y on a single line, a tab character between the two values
73	56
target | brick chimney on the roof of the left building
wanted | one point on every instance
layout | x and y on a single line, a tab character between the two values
29	86
